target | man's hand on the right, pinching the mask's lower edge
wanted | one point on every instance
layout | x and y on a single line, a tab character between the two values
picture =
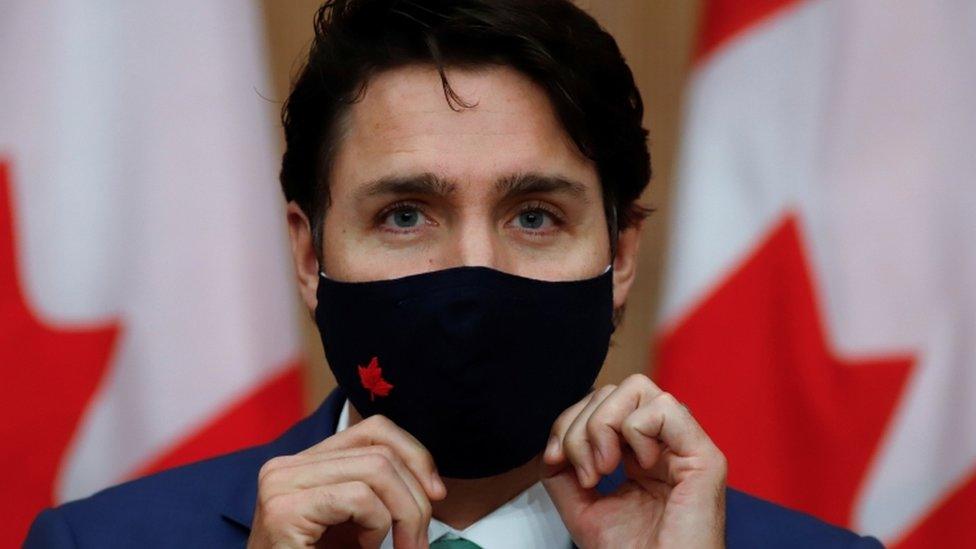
674	495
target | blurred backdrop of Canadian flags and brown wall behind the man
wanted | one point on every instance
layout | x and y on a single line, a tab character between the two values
807	284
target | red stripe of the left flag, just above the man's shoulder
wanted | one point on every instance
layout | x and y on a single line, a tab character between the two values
255	419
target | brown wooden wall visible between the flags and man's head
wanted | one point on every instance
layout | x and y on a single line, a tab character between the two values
656	38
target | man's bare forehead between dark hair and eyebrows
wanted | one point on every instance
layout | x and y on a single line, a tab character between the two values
404	124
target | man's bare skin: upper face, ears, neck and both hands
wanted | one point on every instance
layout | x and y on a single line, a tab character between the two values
418	187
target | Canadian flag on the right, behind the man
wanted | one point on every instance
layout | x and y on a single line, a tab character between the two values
820	311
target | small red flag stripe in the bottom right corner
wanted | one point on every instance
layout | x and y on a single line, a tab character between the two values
951	524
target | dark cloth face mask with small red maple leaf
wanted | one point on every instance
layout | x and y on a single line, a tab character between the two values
473	362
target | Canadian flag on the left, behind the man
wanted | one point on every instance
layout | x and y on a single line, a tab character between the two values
146	301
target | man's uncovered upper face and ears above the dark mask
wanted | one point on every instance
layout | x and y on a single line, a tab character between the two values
418	187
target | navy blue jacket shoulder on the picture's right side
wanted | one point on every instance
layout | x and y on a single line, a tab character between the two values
753	522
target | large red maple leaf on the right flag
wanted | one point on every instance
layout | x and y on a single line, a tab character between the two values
799	424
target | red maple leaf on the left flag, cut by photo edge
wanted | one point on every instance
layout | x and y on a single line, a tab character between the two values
49	376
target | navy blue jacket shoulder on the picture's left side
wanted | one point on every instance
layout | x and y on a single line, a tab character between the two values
208	503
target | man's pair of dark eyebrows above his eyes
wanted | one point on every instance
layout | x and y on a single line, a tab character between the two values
508	187
